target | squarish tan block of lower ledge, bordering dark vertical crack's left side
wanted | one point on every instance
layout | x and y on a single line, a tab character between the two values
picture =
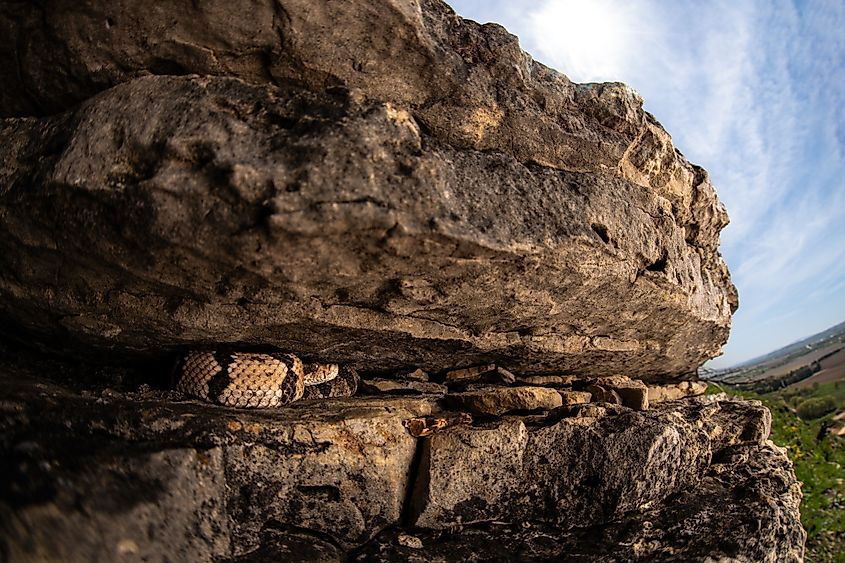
342	478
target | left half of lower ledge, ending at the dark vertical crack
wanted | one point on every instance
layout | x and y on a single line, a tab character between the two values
142	473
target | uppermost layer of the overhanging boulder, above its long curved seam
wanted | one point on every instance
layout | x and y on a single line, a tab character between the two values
469	84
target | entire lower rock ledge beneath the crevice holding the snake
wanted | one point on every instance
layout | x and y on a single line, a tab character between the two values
105	474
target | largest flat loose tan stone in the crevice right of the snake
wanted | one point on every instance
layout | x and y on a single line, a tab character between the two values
501	400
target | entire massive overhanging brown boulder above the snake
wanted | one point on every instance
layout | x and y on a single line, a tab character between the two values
389	208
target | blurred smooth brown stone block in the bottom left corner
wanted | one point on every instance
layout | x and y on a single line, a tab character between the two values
124	506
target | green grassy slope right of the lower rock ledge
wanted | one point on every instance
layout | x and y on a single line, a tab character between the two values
798	417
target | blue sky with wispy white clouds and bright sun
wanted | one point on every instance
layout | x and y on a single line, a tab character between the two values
753	91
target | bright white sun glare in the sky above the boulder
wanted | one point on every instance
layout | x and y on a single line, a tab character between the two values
589	40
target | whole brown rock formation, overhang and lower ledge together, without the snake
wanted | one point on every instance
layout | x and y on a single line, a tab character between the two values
505	255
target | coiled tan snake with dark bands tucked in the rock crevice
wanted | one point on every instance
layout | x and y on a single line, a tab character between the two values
260	380
